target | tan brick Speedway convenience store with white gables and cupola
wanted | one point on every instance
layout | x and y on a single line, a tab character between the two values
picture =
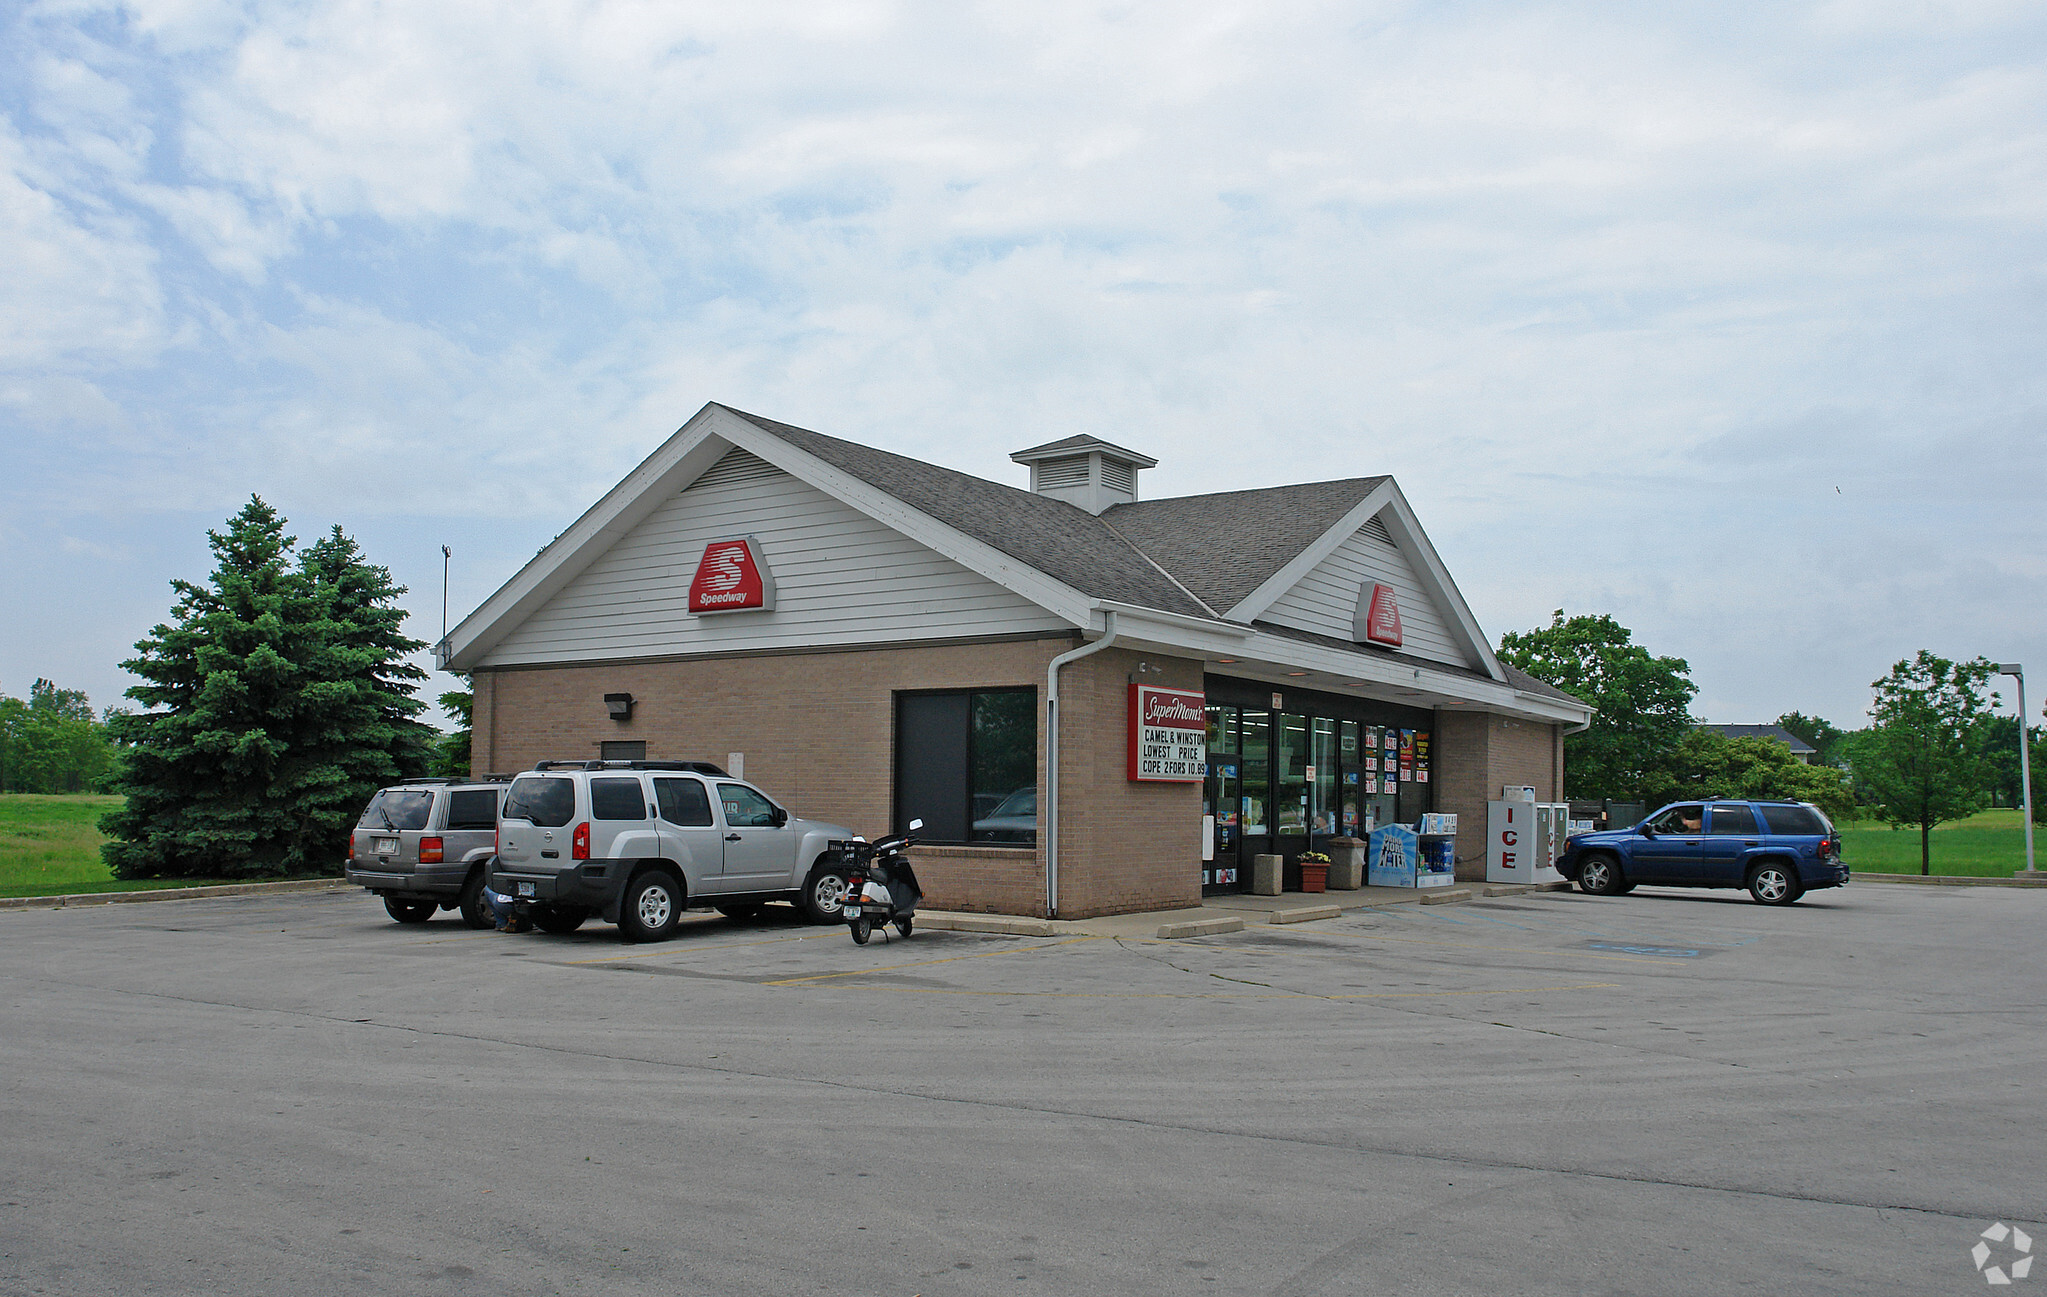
1096	703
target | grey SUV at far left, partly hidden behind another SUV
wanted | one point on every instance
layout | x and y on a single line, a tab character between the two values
427	844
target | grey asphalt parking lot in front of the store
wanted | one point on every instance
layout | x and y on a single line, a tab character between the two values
1553	1093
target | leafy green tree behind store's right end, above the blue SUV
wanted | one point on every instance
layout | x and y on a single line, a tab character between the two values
1641	703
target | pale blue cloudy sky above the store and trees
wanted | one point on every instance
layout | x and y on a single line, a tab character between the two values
1727	320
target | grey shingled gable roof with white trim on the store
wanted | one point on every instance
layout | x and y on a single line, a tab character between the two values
1199	570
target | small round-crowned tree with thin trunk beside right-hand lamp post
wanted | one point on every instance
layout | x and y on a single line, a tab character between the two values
1921	762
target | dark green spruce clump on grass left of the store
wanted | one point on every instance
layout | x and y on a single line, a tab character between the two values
277	705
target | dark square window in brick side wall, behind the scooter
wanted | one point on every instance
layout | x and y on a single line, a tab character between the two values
967	766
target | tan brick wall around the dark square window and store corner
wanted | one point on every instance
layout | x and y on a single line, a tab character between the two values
818	731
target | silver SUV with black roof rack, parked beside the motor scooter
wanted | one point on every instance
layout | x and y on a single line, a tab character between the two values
640	842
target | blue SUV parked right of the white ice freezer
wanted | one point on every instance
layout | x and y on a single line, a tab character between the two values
1776	850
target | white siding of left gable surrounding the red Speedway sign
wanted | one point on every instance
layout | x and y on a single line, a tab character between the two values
840	580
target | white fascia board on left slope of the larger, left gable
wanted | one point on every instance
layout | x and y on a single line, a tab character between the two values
670	469
